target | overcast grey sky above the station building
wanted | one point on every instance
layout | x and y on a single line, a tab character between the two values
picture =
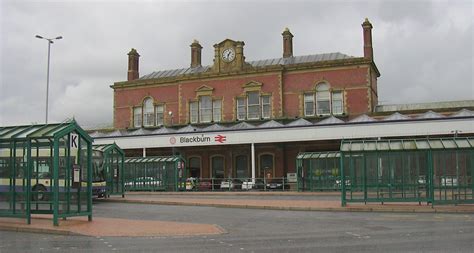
423	49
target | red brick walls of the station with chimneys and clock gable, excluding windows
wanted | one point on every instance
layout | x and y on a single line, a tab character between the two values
353	77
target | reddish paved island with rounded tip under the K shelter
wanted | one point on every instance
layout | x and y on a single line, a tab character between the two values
109	227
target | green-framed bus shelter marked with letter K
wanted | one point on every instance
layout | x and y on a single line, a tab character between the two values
45	169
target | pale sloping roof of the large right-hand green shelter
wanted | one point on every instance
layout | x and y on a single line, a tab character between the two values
408	144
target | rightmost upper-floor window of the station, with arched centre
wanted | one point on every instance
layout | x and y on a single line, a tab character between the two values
323	101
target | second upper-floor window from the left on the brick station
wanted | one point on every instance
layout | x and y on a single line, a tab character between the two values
205	110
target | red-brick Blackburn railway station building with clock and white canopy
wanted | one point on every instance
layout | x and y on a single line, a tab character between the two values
249	119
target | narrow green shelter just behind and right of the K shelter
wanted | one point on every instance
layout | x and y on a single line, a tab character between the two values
112	159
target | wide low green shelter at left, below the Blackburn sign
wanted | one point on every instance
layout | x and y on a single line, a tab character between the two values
159	173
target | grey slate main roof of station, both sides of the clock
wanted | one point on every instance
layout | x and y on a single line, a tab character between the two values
260	63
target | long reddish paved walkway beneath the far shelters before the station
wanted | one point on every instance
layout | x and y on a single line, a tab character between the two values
282	201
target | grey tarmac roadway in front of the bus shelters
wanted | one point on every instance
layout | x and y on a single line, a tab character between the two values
259	230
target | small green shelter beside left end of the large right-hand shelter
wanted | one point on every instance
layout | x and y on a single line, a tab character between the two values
318	171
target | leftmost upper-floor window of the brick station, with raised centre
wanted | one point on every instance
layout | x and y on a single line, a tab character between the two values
148	114
